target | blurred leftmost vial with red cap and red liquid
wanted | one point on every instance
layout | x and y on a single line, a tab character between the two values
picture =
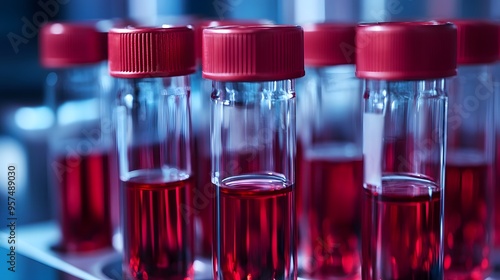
80	143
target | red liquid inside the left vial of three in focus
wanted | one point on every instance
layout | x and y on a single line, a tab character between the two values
158	227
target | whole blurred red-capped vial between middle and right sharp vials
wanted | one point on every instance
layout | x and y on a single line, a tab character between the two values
329	154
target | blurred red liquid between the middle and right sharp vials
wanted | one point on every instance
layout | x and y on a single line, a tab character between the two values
330	232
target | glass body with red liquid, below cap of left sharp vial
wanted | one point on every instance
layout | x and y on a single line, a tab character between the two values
153	137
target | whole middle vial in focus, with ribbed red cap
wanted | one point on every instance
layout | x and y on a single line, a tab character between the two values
252	69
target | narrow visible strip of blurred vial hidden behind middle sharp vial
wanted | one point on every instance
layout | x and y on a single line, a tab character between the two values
200	112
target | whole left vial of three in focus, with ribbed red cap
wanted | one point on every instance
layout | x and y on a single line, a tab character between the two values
154	149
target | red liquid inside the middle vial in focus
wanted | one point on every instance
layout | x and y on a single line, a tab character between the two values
256	229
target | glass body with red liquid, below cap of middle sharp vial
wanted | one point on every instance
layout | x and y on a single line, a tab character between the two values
253	146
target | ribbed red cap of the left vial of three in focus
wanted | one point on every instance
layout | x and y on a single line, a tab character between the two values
151	52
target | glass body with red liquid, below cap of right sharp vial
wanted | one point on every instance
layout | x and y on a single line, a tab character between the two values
404	126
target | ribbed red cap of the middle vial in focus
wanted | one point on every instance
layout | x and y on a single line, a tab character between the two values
253	53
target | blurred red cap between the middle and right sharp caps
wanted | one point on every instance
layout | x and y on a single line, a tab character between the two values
329	44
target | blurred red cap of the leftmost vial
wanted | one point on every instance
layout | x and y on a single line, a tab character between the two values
71	44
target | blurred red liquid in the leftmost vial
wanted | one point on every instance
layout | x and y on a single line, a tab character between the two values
84	196
